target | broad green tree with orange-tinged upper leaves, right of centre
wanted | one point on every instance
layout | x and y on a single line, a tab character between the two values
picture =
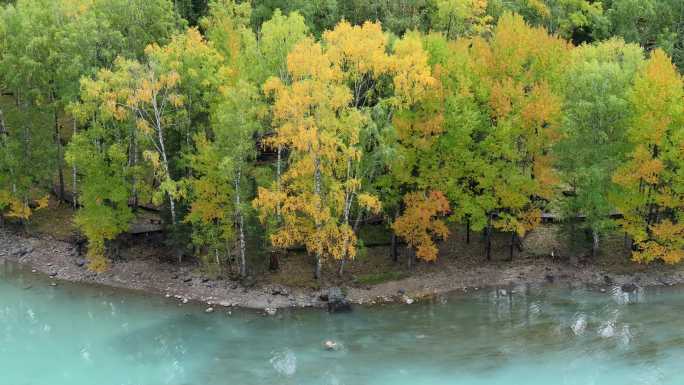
505	120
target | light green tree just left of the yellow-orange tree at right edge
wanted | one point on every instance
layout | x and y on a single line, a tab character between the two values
594	130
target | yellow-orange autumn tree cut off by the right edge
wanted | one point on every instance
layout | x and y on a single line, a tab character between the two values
652	180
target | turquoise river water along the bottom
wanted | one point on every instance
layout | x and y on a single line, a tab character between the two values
76	335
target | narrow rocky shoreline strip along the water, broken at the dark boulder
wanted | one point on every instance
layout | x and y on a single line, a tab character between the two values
60	261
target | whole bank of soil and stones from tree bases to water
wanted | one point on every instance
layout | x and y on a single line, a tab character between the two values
551	253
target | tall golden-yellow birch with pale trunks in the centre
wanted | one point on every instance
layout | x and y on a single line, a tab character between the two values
317	118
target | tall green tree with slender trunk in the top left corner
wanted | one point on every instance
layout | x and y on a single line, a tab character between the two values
48	47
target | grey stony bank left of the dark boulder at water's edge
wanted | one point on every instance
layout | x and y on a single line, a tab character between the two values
60	260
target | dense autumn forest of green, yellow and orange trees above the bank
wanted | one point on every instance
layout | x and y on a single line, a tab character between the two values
276	124
